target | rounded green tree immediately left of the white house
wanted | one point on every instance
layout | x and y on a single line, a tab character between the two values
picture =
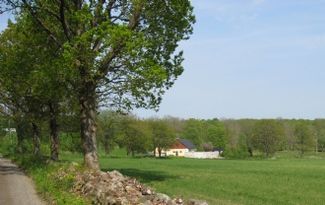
162	135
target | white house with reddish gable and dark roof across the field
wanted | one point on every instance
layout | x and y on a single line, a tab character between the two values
178	149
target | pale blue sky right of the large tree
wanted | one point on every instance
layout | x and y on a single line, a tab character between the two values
250	59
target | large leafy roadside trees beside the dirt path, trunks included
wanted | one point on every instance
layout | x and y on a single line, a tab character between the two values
63	59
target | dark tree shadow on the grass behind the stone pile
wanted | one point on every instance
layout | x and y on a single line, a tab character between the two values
145	176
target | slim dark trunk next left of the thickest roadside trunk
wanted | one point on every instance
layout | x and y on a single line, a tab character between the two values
54	133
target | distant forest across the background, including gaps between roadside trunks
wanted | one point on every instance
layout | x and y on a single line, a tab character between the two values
240	138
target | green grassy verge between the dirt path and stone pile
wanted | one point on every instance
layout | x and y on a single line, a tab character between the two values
53	188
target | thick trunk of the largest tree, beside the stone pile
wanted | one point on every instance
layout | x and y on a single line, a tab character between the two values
87	102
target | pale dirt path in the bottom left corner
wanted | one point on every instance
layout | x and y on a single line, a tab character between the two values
15	187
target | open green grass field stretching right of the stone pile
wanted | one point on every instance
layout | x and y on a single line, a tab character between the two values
277	181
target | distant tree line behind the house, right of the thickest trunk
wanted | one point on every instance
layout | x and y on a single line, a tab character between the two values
238	138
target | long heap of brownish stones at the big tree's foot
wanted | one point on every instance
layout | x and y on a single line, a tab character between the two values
112	188
